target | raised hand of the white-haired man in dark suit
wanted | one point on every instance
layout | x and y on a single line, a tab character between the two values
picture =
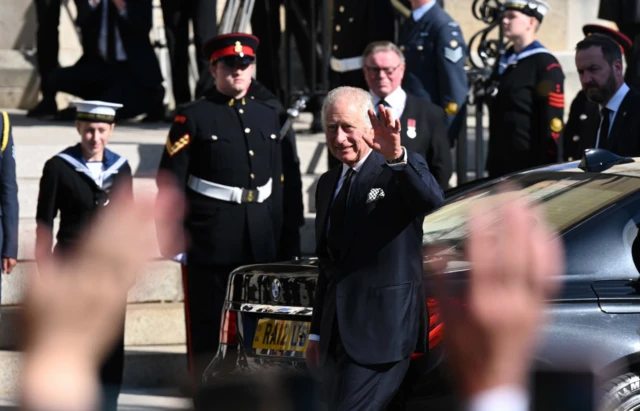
386	134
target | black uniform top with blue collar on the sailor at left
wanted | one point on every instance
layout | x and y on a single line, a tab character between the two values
66	186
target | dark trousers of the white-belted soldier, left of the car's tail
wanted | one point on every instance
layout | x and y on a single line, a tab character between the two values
205	288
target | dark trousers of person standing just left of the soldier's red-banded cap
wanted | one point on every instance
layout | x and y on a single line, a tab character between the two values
176	15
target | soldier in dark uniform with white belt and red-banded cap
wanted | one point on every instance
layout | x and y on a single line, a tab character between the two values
224	151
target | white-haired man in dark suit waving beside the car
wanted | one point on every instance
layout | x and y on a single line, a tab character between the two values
369	312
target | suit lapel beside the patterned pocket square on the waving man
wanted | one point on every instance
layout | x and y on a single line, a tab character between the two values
356	201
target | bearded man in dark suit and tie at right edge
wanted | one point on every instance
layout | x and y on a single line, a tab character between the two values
599	64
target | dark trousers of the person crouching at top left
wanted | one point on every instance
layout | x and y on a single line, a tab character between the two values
94	79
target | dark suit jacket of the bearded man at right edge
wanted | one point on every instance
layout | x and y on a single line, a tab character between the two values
624	137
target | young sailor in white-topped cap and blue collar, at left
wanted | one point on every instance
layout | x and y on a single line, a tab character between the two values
77	183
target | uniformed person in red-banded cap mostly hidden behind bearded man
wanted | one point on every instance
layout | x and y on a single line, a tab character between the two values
584	116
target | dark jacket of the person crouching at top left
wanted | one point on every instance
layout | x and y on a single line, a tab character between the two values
134	27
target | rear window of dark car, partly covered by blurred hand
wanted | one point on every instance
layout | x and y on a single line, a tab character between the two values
566	198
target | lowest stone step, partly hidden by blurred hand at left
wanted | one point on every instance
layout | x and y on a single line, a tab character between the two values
144	368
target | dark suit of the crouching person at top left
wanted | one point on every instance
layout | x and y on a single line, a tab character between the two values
134	82
